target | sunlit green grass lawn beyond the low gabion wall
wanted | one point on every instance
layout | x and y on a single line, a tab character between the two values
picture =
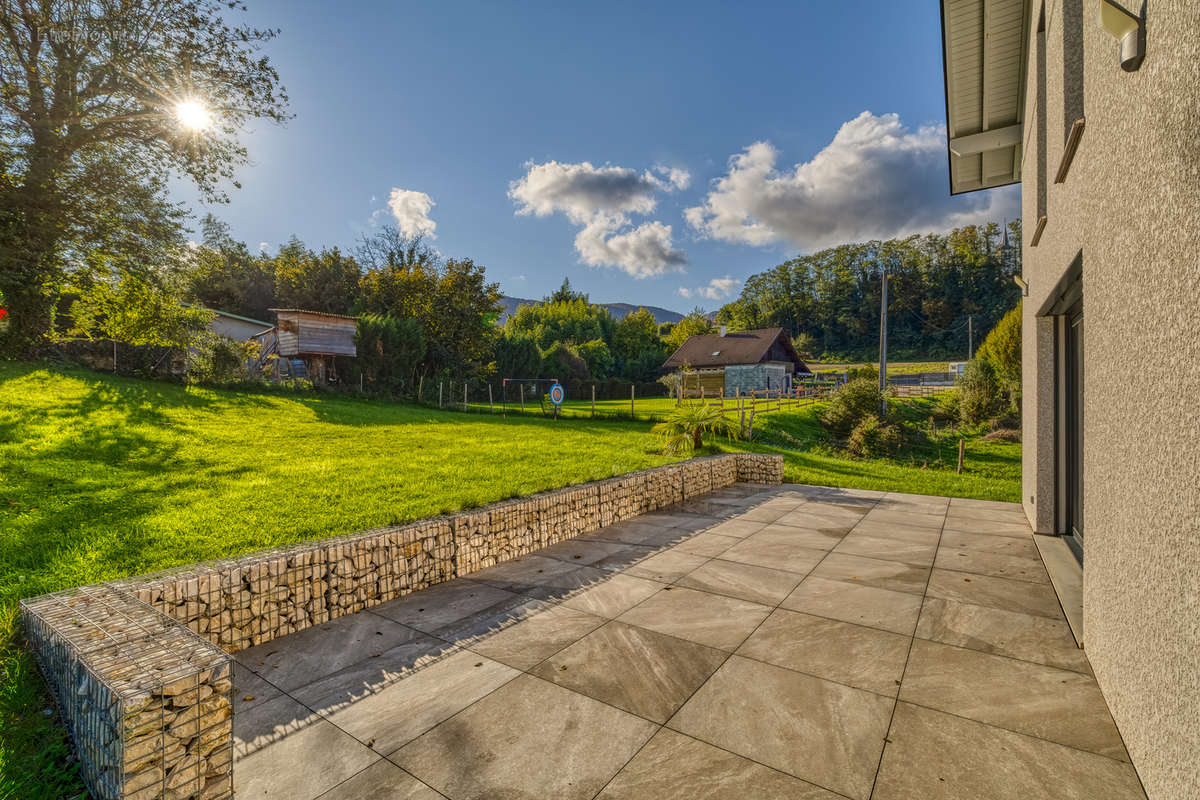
106	477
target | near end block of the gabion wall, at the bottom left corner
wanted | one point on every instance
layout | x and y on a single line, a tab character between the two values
148	702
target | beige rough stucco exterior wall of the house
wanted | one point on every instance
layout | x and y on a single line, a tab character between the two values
1132	204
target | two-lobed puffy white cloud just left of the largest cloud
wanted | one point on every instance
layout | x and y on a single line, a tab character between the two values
601	201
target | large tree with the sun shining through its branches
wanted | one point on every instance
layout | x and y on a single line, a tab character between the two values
91	136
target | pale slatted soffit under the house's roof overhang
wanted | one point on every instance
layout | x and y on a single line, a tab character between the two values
985	50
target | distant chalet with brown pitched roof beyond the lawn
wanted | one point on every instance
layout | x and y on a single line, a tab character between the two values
728	364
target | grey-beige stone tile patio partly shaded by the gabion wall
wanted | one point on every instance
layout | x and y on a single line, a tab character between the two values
758	642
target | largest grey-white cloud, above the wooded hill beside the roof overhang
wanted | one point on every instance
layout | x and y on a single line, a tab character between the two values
877	179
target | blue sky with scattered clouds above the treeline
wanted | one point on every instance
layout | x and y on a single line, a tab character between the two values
655	154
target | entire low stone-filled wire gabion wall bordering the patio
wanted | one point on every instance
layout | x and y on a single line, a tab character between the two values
141	666
